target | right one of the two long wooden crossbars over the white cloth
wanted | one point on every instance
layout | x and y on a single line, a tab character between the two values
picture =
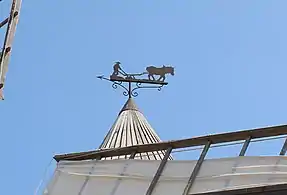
196	168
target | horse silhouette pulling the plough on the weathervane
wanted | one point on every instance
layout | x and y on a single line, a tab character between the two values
152	70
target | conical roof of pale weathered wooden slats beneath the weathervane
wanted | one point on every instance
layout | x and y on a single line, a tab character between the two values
132	128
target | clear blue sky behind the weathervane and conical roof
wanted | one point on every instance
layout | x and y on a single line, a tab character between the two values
230	59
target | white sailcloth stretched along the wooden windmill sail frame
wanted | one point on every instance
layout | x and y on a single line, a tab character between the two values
130	177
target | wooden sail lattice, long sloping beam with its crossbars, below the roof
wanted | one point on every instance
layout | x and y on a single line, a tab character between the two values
207	141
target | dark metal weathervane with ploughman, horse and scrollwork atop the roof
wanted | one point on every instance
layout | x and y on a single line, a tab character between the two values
134	81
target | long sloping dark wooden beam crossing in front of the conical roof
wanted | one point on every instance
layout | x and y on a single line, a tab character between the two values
196	141
